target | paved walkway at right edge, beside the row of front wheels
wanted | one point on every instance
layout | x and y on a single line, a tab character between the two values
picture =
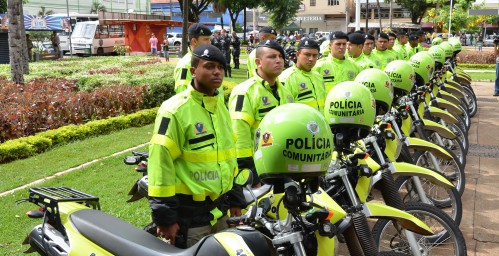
480	224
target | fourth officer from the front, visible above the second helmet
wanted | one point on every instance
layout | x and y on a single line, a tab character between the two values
335	68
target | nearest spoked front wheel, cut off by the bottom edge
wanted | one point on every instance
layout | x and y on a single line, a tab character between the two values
447	238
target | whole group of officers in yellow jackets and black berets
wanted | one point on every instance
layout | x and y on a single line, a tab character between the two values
199	143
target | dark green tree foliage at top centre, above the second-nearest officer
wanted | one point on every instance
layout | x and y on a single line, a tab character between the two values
282	12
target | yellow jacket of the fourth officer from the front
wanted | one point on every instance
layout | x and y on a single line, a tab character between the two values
335	71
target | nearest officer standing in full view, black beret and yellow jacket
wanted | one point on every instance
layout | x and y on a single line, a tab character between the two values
192	158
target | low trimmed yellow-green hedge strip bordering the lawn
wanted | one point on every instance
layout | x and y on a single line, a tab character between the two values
28	146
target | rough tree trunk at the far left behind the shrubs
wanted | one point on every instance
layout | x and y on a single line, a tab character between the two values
15	45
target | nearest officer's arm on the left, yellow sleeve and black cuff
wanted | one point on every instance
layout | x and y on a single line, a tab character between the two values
163	150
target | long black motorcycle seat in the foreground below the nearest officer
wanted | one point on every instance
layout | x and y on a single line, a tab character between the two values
121	238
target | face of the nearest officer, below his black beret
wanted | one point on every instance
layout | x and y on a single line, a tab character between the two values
208	75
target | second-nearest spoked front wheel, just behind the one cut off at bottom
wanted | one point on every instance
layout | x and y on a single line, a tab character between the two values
447	200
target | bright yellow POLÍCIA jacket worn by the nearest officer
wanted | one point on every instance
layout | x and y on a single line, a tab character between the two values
192	152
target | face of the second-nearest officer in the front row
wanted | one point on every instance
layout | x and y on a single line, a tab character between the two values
270	62
